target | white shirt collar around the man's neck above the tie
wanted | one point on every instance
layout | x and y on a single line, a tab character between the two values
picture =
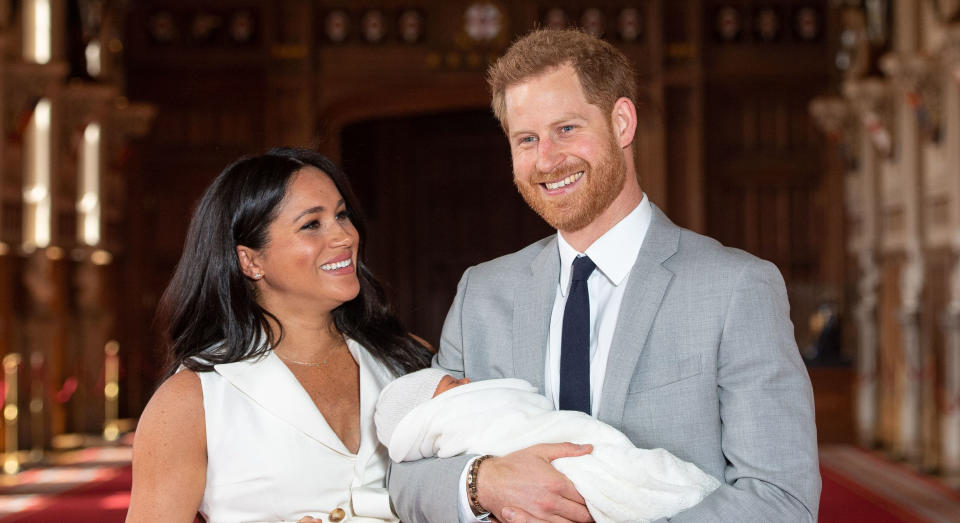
615	252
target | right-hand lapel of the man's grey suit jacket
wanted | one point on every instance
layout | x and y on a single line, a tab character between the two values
645	290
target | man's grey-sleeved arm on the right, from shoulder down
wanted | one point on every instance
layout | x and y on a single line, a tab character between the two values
766	407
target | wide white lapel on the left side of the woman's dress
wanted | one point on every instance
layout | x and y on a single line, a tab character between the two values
270	384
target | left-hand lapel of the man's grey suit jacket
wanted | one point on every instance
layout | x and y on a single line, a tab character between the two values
531	320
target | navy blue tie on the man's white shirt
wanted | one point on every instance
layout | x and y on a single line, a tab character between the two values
575	341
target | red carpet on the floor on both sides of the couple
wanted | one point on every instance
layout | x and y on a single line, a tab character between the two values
858	487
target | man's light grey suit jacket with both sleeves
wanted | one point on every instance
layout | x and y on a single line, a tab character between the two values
703	363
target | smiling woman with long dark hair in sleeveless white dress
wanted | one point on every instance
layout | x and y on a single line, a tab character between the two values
283	340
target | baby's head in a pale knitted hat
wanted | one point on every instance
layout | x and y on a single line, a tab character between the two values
406	392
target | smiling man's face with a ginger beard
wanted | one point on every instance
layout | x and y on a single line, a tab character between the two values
567	163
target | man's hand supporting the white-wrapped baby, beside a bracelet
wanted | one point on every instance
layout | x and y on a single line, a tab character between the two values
527	485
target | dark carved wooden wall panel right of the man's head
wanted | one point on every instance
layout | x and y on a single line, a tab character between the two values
764	165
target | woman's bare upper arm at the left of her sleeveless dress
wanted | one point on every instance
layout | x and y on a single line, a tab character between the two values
170	453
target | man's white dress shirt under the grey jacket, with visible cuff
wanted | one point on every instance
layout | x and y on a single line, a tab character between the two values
614	254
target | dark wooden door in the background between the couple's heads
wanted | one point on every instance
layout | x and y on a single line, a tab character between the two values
438	191
